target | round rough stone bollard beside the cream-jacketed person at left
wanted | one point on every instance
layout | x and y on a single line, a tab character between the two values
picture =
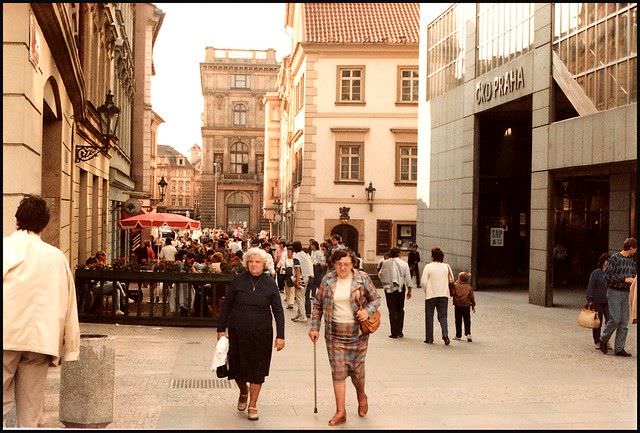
87	385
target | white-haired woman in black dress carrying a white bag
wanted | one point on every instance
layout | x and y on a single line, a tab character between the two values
250	302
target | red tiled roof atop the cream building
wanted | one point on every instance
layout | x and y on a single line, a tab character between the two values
393	23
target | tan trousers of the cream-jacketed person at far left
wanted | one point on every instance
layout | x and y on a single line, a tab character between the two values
24	380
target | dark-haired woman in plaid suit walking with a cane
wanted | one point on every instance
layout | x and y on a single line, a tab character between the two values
338	297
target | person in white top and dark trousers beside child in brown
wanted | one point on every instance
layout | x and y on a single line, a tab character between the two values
435	280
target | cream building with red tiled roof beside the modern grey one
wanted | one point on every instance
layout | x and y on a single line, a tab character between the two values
346	107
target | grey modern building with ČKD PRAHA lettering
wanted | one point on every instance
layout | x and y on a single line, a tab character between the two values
528	140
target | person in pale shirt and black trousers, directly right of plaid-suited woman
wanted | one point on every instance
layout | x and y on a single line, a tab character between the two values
397	283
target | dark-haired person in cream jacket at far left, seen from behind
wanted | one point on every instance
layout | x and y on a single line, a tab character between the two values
40	316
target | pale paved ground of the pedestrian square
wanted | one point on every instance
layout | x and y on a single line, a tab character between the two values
527	367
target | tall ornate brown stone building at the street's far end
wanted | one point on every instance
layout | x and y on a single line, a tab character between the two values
234	83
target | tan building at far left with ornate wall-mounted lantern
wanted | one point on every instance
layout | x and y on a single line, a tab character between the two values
58	64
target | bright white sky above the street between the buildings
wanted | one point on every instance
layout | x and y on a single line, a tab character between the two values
187	29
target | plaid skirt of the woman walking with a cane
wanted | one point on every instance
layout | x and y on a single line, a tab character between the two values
347	350
